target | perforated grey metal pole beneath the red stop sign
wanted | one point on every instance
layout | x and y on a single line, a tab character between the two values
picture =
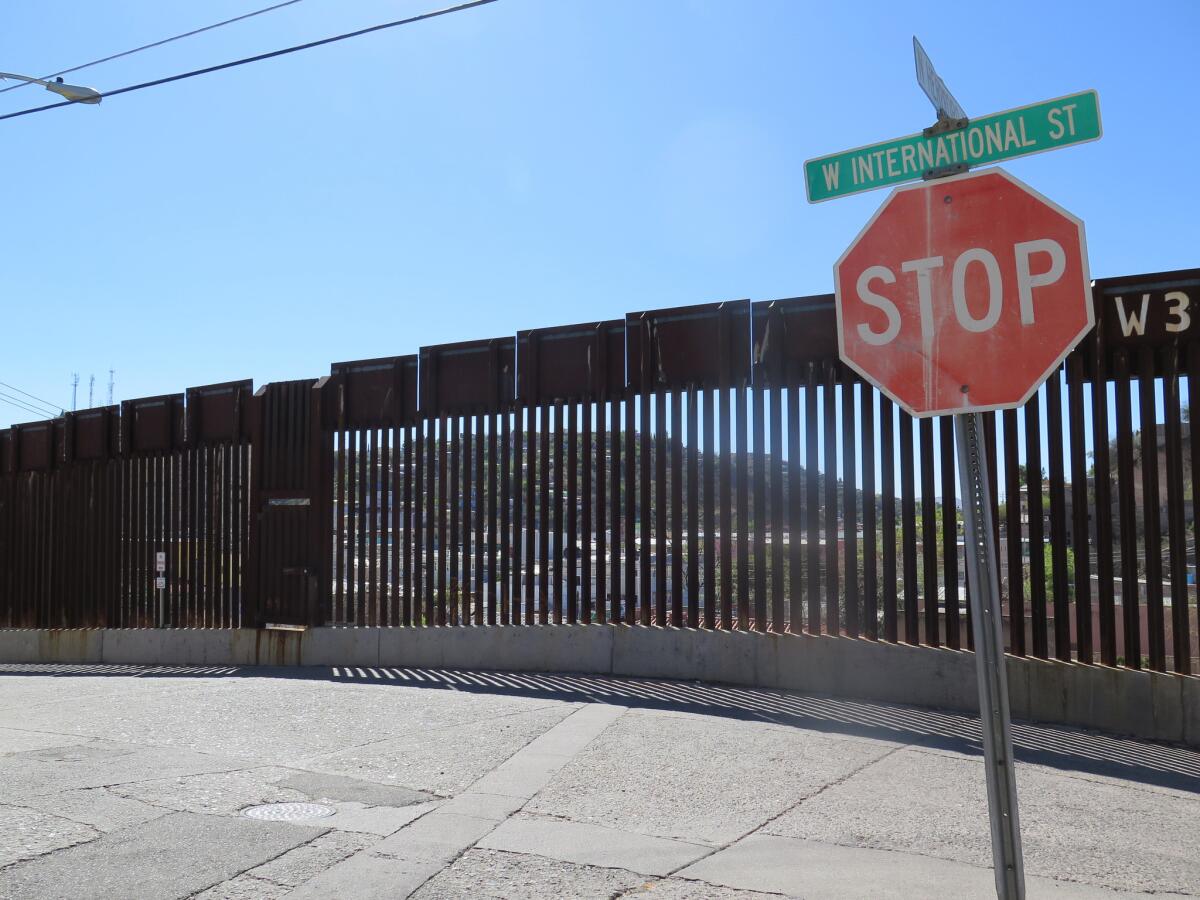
989	645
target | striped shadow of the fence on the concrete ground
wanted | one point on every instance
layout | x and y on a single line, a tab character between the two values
1057	747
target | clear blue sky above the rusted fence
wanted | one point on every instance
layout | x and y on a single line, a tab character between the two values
527	164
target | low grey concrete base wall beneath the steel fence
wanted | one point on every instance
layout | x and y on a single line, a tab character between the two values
1145	705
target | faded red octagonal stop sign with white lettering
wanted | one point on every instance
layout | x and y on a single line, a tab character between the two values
963	295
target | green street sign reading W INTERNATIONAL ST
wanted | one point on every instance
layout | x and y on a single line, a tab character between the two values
1075	119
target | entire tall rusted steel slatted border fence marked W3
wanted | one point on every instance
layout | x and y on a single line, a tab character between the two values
705	467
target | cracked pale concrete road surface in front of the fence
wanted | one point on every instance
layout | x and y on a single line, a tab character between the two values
124	782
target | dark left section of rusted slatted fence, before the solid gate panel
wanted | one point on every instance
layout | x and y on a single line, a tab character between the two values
89	501
